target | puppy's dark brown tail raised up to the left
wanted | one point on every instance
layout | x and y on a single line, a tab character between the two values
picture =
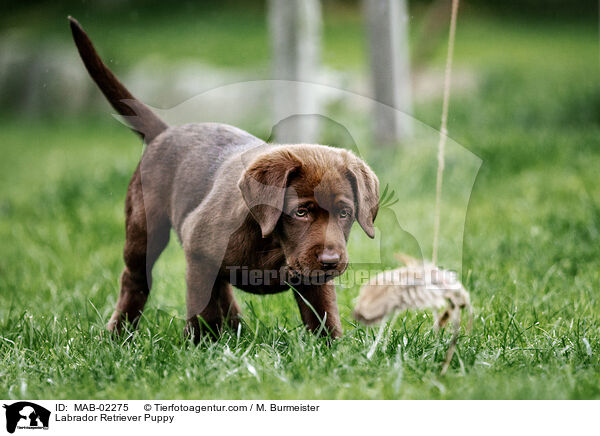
139	116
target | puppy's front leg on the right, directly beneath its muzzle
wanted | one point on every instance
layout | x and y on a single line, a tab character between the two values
323	300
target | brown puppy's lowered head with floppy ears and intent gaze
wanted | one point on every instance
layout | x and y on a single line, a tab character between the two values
307	197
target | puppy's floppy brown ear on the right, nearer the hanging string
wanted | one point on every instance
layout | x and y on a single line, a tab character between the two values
366	192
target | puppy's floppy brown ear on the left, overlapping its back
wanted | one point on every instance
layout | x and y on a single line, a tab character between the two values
263	186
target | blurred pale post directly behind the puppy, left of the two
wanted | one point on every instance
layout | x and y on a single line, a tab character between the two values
295	27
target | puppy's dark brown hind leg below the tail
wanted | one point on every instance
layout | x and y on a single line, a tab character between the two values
147	234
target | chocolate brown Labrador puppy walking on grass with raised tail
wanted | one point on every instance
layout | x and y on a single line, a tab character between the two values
263	217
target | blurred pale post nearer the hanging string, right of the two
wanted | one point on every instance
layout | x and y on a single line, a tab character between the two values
387	30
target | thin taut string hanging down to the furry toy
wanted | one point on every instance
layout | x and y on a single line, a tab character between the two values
443	133
